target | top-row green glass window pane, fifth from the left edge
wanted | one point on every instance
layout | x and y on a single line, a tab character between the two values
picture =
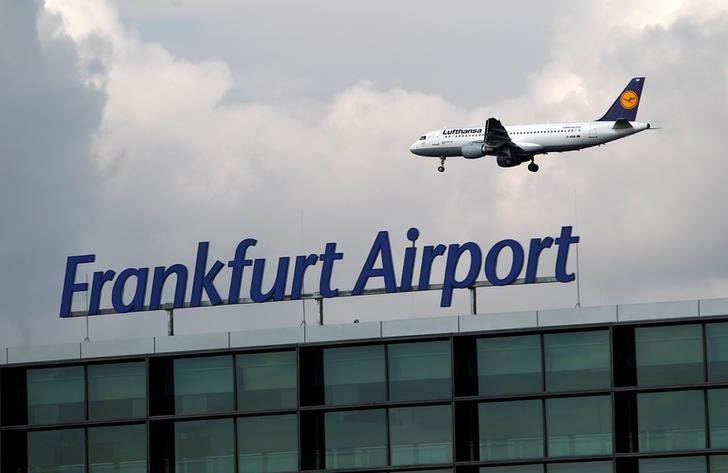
354	375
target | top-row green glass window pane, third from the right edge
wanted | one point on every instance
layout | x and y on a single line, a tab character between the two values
577	360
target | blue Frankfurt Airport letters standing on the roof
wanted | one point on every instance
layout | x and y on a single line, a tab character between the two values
379	265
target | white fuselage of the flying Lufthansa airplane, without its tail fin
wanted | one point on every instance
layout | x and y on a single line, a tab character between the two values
532	139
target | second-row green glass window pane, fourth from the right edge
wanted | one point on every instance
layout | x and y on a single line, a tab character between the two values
510	430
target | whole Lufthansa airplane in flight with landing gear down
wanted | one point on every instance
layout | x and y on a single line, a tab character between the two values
516	144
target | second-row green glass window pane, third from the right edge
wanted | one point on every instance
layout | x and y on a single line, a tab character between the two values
579	426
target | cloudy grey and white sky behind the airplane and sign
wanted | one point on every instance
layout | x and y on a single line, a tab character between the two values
133	130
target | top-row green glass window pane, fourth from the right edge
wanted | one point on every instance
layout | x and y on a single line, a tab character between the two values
509	365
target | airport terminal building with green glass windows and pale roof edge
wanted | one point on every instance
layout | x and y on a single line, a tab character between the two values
629	389
